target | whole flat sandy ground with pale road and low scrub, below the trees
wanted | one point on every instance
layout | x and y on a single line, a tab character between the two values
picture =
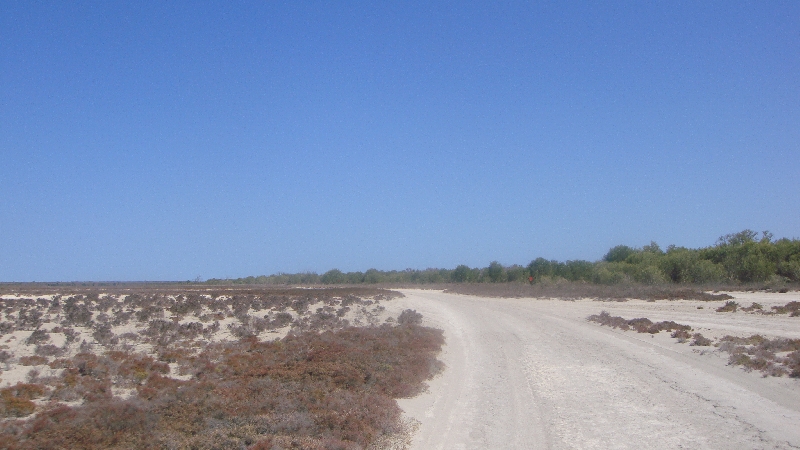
512	373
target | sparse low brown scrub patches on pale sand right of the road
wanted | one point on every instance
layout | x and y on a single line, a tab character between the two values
772	357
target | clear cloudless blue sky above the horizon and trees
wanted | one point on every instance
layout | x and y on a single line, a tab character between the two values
169	140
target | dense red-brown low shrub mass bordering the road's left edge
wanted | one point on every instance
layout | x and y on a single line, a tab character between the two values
330	390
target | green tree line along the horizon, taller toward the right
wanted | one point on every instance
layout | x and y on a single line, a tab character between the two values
744	257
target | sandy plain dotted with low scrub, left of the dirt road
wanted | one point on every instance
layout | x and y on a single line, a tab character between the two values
198	368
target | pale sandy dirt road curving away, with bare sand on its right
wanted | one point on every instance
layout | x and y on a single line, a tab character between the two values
527	373
